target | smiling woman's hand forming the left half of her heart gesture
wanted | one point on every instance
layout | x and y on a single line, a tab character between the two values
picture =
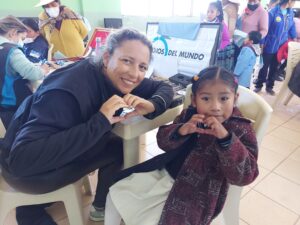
109	108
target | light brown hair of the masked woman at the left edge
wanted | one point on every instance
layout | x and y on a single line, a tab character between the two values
10	22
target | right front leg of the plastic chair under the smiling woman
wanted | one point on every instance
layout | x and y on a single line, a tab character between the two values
74	207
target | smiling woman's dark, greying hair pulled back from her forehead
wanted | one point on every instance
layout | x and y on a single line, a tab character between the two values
116	39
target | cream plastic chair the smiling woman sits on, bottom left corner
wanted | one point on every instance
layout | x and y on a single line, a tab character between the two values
71	195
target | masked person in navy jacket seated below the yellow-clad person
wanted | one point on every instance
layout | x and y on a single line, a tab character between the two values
35	45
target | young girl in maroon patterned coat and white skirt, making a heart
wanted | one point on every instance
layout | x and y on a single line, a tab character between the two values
209	146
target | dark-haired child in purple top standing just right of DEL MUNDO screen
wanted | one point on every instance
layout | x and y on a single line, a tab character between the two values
215	15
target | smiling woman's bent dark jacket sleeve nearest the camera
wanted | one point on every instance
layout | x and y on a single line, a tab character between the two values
54	135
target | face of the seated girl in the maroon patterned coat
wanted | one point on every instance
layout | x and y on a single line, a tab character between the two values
215	98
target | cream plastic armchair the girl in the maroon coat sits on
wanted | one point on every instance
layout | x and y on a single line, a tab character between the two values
258	110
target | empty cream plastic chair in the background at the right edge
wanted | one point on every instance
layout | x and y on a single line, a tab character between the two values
292	60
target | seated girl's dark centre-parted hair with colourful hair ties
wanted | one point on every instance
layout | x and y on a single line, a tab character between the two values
214	73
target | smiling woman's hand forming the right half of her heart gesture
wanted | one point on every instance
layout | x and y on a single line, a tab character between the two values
141	106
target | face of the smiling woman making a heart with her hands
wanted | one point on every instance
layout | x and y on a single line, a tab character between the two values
127	66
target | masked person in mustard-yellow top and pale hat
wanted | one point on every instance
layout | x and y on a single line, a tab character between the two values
62	27
